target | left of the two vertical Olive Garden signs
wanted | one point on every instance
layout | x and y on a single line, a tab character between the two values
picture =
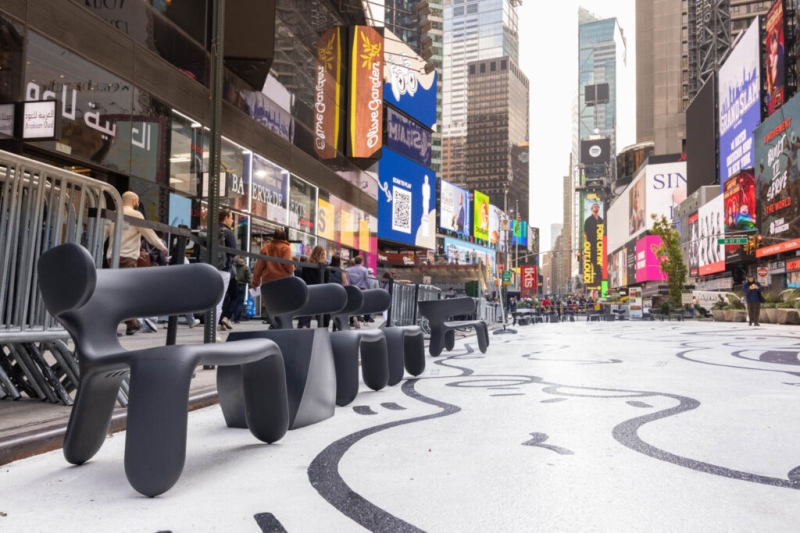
327	94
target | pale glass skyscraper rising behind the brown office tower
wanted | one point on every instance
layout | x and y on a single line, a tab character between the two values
474	30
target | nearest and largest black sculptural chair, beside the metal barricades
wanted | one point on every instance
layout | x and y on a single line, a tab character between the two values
90	304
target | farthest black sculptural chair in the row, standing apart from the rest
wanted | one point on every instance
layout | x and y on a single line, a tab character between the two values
443	335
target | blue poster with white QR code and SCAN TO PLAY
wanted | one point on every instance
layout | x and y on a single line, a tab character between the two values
407	204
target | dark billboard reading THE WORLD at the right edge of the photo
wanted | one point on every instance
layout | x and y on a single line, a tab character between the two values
778	180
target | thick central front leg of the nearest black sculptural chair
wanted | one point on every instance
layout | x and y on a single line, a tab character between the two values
155	446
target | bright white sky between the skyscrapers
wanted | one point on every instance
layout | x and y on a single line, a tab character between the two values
549	57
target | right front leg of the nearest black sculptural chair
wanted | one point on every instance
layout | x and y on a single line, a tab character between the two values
265	397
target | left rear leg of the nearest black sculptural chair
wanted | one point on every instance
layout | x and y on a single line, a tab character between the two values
91	415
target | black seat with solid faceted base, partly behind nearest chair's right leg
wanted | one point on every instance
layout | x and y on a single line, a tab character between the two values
307	353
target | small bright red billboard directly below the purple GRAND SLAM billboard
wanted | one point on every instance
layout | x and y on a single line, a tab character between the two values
740	212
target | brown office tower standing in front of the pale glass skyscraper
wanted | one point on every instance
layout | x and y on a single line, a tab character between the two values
497	151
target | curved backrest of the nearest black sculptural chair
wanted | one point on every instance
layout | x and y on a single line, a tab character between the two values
91	303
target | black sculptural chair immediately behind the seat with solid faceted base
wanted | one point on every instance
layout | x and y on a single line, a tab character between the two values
371	343
